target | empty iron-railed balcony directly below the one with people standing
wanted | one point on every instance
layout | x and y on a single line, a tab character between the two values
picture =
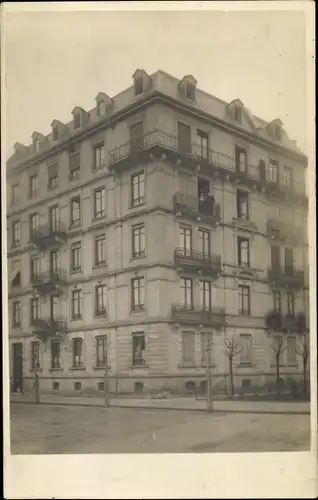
197	261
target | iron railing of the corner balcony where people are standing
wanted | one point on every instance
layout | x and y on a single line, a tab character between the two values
186	202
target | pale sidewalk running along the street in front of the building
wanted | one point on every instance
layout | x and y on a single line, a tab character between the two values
185	404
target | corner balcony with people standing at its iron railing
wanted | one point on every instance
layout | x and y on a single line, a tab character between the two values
193	208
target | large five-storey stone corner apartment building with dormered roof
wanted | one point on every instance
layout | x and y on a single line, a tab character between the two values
159	220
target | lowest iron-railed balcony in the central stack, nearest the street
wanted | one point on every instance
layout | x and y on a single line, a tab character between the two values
195	315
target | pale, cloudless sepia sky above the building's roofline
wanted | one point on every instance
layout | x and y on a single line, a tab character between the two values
57	60
